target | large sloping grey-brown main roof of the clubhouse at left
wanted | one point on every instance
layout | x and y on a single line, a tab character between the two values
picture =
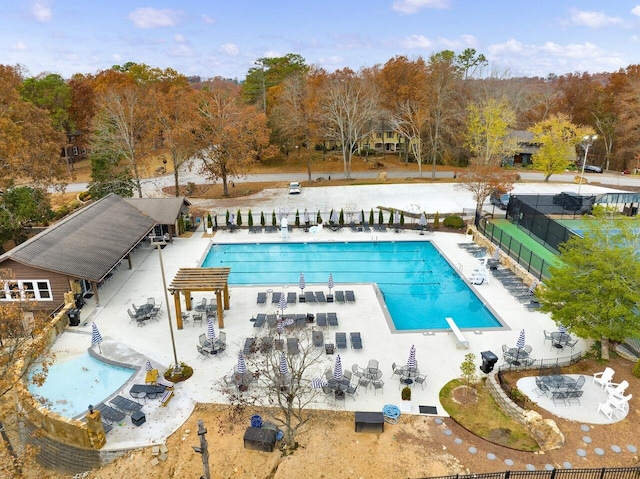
88	243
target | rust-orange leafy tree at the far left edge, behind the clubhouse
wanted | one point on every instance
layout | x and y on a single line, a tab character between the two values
29	144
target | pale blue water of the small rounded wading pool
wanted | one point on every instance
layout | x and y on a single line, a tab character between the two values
74	382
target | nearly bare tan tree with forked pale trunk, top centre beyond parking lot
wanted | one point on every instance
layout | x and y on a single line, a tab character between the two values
349	109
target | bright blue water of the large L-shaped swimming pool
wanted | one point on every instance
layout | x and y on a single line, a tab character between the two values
420	288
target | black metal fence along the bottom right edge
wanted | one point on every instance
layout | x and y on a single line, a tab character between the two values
599	473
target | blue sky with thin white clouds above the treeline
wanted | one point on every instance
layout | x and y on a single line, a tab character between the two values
223	38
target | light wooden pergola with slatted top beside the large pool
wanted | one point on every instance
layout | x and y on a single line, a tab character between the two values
200	279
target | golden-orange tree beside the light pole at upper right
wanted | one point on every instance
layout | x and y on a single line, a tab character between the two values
558	138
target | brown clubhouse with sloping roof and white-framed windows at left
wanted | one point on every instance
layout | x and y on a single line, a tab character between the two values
82	251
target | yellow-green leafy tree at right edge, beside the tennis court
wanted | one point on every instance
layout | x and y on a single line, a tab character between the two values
595	289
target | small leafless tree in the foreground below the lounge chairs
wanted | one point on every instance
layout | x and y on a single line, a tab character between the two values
284	397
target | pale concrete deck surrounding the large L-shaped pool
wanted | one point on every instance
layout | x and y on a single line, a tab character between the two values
436	353
